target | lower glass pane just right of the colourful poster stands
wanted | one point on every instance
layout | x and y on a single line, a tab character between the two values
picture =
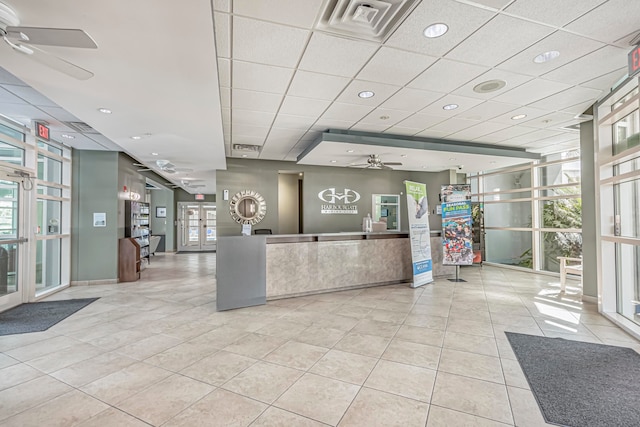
509	247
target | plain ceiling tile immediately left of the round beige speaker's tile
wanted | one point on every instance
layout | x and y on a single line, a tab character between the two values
446	76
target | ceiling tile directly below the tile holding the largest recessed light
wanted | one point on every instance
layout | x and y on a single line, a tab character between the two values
384	68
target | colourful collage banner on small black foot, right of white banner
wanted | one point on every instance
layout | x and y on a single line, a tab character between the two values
457	238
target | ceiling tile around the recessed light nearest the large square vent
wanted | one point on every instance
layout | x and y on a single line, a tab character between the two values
462	20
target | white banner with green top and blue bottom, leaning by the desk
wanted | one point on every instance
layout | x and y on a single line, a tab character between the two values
419	233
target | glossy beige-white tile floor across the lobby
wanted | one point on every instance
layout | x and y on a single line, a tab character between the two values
156	352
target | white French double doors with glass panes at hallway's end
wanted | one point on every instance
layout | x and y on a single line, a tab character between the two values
197	226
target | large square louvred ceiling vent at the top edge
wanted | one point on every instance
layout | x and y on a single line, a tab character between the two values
369	20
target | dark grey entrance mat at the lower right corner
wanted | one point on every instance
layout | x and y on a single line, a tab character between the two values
578	383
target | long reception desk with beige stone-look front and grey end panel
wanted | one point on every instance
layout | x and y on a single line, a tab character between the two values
253	269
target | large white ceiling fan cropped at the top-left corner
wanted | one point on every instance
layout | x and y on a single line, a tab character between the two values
22	40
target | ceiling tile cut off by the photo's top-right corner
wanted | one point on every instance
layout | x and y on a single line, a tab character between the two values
610	21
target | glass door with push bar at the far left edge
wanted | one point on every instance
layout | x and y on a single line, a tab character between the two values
11	242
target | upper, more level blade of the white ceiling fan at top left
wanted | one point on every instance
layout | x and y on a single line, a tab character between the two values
64	37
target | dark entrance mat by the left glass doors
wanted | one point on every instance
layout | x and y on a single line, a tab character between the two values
39	316
